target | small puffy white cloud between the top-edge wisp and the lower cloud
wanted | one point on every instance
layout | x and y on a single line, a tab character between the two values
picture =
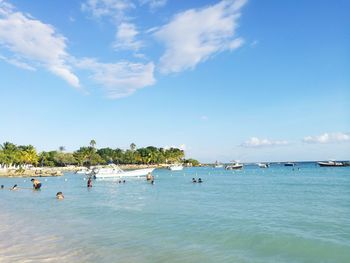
126	37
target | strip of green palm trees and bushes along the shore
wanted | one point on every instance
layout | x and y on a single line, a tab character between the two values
11	154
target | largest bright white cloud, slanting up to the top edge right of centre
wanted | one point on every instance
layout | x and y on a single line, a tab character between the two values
193	36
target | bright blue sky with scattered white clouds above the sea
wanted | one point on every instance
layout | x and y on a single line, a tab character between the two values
224	80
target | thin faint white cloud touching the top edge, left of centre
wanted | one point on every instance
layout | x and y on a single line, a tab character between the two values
112	8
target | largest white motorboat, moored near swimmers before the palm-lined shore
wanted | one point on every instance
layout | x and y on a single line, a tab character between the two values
114	171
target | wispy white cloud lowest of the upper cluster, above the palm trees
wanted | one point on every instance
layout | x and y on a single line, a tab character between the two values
120	79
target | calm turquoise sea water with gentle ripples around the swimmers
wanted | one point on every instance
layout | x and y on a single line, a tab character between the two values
254	215
